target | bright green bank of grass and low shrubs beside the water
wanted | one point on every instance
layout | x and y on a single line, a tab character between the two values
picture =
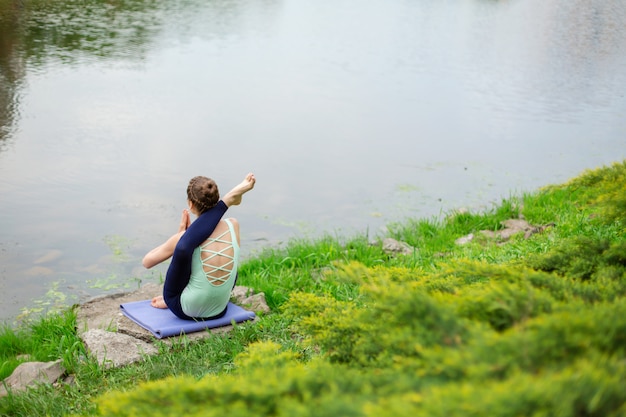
530	325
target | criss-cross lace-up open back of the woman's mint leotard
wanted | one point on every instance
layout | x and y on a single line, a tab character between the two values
218	256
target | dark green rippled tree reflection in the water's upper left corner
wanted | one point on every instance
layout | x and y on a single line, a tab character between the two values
33	34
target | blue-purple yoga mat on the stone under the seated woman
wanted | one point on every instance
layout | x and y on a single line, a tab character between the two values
161	322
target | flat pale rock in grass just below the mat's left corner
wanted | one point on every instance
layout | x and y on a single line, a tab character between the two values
116	349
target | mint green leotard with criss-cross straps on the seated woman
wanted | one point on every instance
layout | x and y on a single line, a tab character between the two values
202	297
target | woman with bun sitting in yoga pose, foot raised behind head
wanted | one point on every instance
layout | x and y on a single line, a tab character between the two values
205	253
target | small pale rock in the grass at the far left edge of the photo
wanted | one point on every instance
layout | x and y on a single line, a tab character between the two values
29	374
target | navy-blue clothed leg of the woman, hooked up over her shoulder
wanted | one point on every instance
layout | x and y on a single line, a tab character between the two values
179	271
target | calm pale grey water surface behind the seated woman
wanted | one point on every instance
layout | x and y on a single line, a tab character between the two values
352	114
